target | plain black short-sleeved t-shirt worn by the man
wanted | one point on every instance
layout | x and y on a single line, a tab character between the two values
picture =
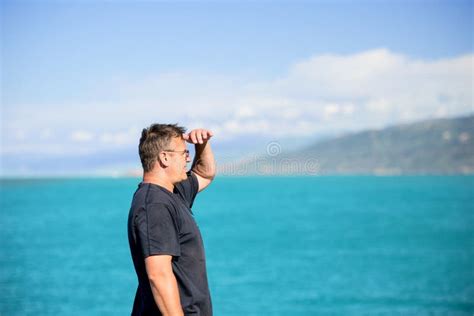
161	222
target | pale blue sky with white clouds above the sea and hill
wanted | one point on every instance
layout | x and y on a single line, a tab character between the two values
94	72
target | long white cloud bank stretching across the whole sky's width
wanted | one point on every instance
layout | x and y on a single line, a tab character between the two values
317	95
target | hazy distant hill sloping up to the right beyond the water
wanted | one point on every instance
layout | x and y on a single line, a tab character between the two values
439	146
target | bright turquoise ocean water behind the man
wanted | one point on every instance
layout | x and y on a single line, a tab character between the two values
274	246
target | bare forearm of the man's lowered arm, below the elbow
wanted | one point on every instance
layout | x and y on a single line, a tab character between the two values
166	294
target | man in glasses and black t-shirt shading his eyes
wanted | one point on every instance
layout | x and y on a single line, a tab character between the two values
165	242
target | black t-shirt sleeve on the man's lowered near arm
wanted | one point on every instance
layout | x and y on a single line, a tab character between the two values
158	231
